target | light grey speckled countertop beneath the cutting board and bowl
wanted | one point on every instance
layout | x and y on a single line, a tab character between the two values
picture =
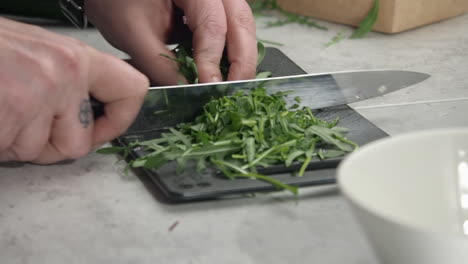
87	211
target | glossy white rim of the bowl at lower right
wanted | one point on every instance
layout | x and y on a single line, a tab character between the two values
384	141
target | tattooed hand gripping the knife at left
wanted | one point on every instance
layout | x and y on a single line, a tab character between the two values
45	83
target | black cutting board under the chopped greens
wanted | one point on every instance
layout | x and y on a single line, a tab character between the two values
191	185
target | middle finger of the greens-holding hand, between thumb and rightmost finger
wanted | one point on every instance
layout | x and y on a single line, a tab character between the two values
207	20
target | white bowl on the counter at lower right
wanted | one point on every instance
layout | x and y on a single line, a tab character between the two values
410	196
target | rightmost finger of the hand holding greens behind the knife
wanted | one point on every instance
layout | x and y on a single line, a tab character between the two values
241	40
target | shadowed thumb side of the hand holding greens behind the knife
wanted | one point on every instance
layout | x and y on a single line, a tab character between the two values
145	30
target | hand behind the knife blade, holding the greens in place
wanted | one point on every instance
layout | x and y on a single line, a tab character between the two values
142	28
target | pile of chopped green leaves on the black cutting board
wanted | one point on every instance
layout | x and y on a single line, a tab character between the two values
240	133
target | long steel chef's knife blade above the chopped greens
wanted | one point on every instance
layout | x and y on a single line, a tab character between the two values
316	90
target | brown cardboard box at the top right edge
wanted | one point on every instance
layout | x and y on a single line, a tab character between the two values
394	16
